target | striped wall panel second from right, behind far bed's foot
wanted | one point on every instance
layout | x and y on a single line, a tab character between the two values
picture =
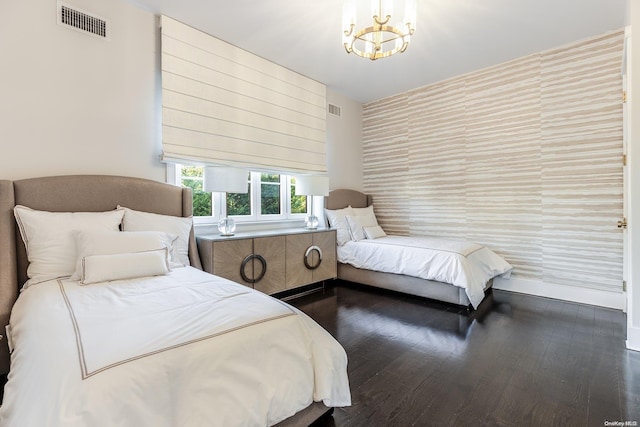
503	189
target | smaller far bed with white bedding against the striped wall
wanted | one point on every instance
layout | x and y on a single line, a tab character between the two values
455	272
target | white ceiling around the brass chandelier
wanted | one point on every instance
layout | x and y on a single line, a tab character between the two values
452	36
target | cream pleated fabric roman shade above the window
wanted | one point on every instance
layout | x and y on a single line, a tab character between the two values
222	105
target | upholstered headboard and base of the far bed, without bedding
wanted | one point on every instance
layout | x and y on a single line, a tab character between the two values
441	291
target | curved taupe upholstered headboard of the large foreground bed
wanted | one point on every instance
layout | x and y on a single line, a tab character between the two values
75	193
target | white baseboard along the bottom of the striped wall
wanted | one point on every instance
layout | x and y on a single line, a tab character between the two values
562	292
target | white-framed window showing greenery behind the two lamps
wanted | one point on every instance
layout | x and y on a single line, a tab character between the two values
271	196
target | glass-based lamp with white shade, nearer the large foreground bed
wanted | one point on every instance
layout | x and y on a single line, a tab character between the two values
225	180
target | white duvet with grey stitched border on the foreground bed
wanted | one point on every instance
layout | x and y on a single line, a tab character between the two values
185	349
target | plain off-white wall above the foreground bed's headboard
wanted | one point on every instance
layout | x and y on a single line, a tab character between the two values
71	103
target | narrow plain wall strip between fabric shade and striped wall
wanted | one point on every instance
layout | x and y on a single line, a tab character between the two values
344	148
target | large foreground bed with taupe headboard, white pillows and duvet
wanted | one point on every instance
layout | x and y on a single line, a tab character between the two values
123	328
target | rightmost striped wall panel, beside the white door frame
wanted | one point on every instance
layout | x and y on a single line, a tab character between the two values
581	142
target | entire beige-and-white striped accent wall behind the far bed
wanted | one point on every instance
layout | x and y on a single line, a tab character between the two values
524	157
